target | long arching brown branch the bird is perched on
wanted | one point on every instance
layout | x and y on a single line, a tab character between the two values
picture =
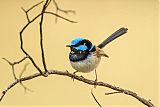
82	79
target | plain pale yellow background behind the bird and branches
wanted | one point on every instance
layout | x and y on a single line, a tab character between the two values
133	62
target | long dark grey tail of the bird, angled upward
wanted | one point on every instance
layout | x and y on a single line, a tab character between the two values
115	35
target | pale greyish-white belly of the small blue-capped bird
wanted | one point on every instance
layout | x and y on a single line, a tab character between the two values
87	65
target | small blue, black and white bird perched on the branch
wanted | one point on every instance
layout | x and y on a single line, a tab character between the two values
85	57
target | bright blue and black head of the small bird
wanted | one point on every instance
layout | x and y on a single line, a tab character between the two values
80	45
